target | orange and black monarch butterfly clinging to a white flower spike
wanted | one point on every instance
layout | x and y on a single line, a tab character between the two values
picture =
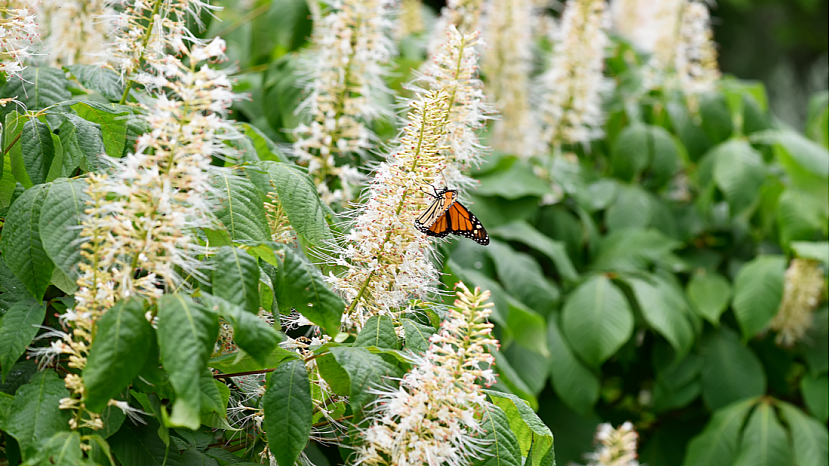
445	215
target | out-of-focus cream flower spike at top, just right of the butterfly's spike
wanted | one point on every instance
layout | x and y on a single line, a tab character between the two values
507	65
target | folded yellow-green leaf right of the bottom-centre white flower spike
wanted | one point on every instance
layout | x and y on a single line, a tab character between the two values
534	437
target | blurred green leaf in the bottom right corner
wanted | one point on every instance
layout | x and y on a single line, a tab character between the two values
808	436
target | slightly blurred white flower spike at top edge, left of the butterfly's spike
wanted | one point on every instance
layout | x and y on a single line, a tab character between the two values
352	48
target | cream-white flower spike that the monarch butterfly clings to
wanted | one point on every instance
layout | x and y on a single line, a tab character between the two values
385	257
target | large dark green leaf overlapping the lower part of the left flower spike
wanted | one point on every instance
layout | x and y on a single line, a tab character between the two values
122	343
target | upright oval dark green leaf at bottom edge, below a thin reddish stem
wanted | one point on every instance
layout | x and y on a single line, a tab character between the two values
288	411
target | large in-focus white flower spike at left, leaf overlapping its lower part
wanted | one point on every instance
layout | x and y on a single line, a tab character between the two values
138	228
